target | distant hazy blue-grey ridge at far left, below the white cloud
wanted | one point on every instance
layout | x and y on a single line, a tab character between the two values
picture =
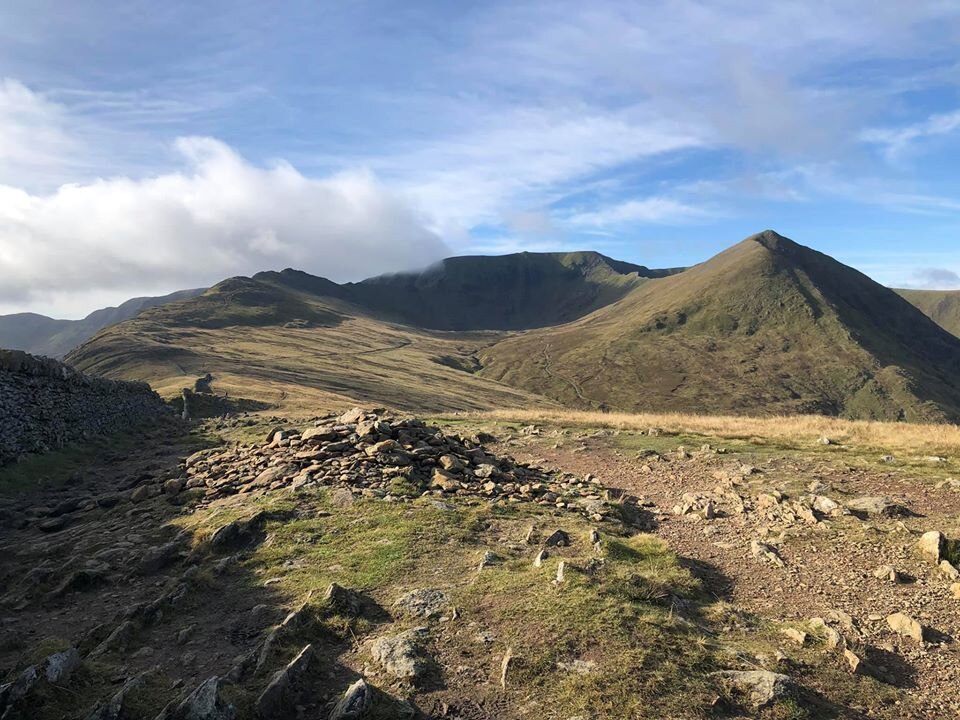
41	335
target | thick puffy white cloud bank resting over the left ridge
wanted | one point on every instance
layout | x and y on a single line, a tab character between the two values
218	216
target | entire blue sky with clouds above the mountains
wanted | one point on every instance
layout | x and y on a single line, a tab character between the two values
150	147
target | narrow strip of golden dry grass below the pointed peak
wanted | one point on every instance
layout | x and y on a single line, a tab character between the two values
797	429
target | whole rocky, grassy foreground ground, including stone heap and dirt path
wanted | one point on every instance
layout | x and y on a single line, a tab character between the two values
370	565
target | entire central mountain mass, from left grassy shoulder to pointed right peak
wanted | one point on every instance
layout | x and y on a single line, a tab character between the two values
767	326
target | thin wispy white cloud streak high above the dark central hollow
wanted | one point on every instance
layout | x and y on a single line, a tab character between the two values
525	158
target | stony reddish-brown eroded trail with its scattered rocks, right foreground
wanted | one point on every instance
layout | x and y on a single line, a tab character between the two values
830	555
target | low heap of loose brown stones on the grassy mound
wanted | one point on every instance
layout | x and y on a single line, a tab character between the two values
380	456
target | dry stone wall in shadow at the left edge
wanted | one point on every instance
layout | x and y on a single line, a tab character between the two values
45	404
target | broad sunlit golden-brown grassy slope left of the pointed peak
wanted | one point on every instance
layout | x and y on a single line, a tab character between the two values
294	350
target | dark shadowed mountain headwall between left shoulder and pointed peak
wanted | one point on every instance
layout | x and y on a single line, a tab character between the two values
508	292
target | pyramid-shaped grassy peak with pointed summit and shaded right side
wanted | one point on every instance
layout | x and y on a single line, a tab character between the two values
766	327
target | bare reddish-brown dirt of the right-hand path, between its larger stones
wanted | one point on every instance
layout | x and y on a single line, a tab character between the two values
828	565
